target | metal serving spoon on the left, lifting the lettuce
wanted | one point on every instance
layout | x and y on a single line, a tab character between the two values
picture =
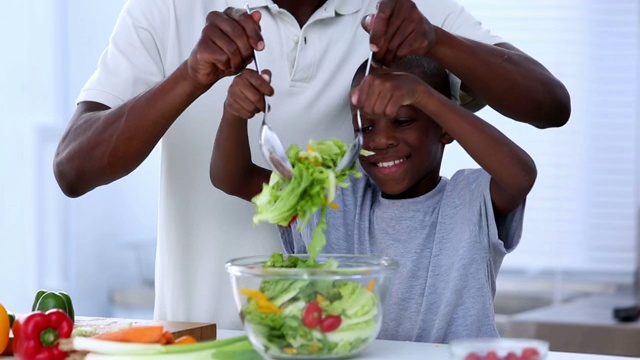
270	144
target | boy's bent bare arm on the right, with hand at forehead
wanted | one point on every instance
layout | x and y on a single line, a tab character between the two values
512	170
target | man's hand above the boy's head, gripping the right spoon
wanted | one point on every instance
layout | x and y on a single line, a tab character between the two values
398	29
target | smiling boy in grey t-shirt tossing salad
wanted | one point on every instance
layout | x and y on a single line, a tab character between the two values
450	236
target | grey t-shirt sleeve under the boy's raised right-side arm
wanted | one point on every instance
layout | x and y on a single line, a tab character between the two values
504	231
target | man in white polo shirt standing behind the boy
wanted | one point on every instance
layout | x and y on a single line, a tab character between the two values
152	83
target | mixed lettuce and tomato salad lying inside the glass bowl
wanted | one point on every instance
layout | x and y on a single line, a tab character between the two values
311	317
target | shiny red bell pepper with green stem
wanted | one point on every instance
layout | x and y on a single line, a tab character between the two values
36	335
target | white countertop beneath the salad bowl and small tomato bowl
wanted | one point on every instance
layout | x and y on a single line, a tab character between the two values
400	350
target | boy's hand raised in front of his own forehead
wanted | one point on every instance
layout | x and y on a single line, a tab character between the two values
383	93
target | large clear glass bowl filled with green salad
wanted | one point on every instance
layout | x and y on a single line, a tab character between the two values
294	308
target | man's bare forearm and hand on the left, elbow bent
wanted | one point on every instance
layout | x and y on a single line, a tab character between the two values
101	145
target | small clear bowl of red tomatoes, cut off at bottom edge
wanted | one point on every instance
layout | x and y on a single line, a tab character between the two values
499	349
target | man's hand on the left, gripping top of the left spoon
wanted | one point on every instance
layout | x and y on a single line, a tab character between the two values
225	46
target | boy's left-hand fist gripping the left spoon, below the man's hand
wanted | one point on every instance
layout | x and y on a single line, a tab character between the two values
245	97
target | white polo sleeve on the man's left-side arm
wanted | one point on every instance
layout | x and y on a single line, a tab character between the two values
133	62
